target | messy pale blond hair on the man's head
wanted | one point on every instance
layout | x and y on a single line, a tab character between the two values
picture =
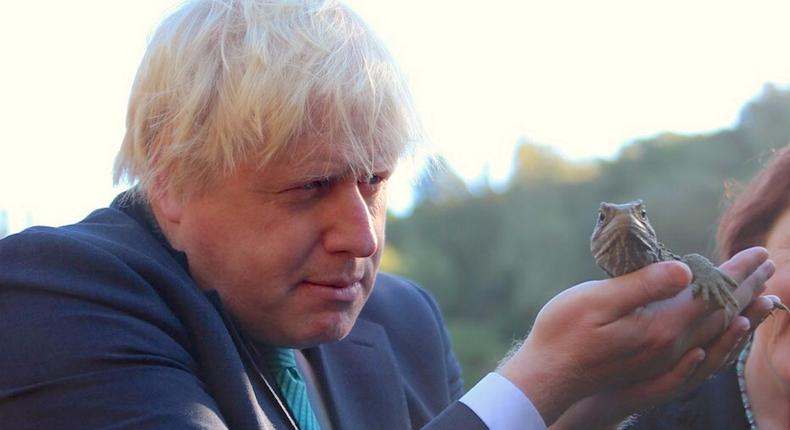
227	81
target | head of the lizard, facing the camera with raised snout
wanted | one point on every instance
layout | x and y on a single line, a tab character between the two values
623	239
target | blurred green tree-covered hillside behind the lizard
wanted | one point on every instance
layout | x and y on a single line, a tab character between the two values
493	259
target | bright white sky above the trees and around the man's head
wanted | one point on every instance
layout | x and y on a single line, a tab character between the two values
585	77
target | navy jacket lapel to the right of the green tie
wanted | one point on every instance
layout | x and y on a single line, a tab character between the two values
360	380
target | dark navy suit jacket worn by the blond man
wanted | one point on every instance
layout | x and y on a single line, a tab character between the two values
101	326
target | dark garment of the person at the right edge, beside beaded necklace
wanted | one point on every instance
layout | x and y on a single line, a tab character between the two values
716	404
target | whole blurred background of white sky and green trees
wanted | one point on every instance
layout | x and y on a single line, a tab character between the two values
535	112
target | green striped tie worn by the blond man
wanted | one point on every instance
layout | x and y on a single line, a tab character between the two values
282	363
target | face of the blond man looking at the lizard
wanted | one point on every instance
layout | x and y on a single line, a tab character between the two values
292	249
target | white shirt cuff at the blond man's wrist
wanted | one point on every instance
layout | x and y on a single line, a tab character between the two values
502	406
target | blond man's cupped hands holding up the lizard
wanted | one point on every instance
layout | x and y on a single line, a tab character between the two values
639	335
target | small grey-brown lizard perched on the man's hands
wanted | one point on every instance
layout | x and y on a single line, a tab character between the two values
623	241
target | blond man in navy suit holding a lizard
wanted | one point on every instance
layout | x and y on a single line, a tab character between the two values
236	284
